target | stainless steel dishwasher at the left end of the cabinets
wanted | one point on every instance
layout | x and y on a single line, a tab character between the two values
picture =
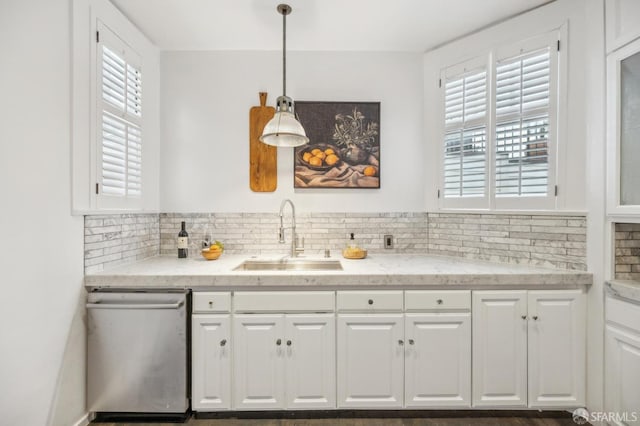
137	354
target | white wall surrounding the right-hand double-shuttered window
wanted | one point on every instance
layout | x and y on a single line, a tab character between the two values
572	146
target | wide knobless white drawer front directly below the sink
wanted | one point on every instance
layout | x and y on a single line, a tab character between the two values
284	301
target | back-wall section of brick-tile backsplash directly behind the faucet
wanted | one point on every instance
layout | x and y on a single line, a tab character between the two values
257	233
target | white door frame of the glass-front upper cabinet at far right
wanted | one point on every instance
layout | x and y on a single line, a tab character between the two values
614	208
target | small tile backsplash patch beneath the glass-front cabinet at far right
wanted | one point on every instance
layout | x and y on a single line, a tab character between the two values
627	251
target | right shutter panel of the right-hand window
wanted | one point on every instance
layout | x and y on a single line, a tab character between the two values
523	104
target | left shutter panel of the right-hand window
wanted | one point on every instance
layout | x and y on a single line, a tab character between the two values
465	137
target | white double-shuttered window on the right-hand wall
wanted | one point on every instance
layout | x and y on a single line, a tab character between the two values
500	130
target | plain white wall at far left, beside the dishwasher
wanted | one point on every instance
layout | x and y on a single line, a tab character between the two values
41	252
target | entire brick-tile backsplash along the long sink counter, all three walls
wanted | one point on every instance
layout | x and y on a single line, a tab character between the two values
540	240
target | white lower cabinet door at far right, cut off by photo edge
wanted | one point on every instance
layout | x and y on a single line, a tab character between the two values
622	374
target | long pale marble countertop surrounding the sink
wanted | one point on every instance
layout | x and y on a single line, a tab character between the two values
377	271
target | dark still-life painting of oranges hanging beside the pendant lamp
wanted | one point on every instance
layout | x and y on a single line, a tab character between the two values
344	145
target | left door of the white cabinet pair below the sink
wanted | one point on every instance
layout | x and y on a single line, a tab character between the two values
258	355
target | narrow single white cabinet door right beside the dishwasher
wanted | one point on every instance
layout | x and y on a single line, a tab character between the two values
211	362
